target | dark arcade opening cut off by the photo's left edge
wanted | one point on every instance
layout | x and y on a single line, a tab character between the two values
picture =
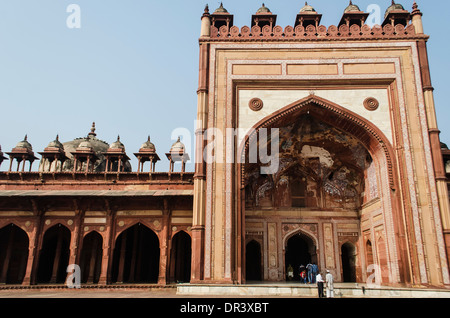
13	254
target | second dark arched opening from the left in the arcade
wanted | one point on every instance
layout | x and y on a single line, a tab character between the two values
54	255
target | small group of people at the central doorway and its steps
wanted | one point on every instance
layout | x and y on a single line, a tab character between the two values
310	274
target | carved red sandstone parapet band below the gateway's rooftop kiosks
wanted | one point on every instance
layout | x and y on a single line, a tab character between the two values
311	32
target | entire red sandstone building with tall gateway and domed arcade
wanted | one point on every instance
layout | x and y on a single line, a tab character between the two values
361	188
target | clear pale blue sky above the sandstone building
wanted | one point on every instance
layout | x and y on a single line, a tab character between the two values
132	67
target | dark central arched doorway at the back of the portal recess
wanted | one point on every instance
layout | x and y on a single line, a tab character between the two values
300	251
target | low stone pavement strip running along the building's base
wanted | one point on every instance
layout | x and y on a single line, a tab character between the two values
259	290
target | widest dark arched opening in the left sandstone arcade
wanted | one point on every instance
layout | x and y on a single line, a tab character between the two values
136	256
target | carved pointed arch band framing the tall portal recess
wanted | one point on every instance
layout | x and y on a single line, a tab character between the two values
369	136
